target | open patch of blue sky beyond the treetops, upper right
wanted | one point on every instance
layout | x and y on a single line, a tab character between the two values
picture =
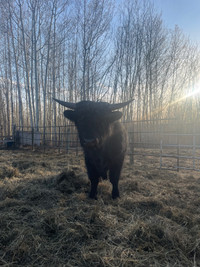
184	13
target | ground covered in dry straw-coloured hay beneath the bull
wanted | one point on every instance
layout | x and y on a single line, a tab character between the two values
47	219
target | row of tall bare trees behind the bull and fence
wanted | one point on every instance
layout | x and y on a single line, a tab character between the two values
92	50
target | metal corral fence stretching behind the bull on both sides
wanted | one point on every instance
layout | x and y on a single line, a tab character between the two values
170	143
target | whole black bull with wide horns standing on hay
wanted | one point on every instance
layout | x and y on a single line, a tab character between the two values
102	137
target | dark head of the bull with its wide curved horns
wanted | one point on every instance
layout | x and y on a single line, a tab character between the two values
92	119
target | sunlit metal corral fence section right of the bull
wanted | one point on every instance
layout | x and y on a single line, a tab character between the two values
171	143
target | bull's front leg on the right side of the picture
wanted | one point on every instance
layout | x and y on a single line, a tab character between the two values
114	179
